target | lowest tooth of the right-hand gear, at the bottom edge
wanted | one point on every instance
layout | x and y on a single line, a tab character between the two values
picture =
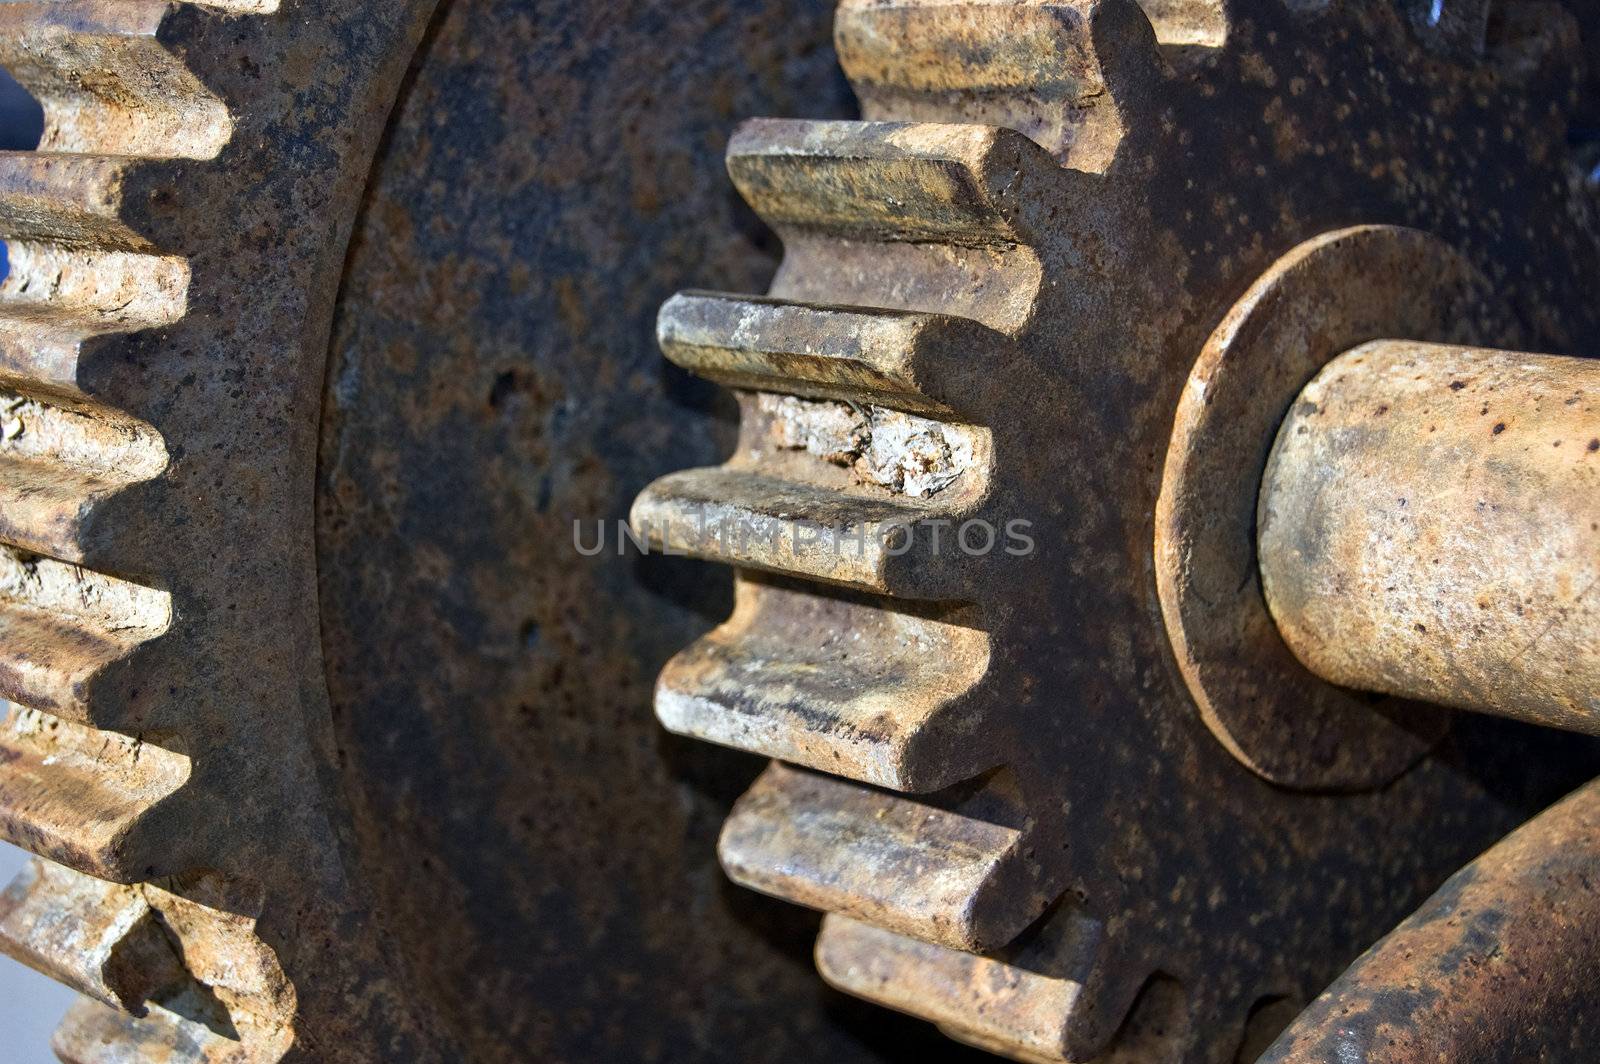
1036	1006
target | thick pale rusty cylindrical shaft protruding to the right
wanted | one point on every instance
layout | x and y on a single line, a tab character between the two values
1430	527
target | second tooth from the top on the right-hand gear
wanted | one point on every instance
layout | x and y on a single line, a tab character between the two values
884	182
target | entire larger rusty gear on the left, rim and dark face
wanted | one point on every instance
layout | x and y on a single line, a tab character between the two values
247	855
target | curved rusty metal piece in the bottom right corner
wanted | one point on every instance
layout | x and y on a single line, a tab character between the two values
1498	966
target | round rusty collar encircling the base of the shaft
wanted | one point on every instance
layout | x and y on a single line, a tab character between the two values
1322	298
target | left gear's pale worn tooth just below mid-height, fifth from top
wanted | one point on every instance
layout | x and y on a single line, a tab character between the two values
63	630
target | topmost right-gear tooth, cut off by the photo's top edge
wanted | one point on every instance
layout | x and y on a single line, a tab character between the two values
1062	73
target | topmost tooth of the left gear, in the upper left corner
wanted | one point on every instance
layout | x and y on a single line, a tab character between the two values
108	87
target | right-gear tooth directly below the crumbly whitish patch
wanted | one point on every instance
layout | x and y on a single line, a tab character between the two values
786	526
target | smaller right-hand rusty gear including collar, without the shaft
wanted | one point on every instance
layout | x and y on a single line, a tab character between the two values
1033	818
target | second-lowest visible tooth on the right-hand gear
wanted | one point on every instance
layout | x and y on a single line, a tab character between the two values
908	866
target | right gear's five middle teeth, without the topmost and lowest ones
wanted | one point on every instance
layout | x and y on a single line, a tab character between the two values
908	262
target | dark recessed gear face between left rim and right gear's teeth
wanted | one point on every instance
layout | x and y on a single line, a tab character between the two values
551	174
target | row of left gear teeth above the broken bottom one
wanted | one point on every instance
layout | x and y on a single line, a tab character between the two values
74	788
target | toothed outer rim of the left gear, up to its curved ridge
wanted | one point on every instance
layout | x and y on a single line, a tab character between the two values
156	345
